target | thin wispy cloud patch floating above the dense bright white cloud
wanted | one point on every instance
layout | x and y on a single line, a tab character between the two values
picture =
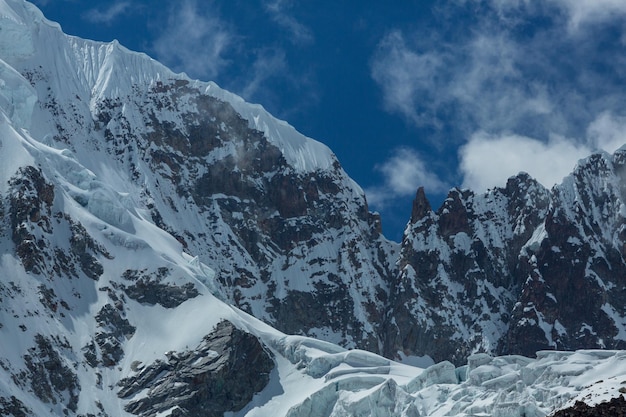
482	83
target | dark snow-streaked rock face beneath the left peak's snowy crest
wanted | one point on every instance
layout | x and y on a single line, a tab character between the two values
295	247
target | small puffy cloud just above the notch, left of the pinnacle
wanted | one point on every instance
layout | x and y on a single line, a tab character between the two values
403	173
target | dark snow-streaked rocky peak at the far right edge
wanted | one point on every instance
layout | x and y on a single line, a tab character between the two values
574	292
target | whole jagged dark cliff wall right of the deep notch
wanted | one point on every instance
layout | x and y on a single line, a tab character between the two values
515	270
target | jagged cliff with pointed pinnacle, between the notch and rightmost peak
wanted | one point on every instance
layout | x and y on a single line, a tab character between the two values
459	269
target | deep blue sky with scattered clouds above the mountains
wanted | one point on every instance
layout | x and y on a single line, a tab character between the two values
433	93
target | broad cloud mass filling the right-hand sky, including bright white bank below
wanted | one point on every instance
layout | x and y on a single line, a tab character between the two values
513	85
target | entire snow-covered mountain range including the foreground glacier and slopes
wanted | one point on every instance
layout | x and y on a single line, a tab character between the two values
156	231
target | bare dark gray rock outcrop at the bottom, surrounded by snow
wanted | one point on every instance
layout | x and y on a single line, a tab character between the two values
221	374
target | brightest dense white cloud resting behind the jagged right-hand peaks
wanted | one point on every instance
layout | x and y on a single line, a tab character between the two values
487	161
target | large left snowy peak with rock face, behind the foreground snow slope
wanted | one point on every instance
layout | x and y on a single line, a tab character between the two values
271	211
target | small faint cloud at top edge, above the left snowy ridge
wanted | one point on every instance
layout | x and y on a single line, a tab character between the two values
193	41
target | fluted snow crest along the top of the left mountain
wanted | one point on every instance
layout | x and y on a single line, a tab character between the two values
110	69
